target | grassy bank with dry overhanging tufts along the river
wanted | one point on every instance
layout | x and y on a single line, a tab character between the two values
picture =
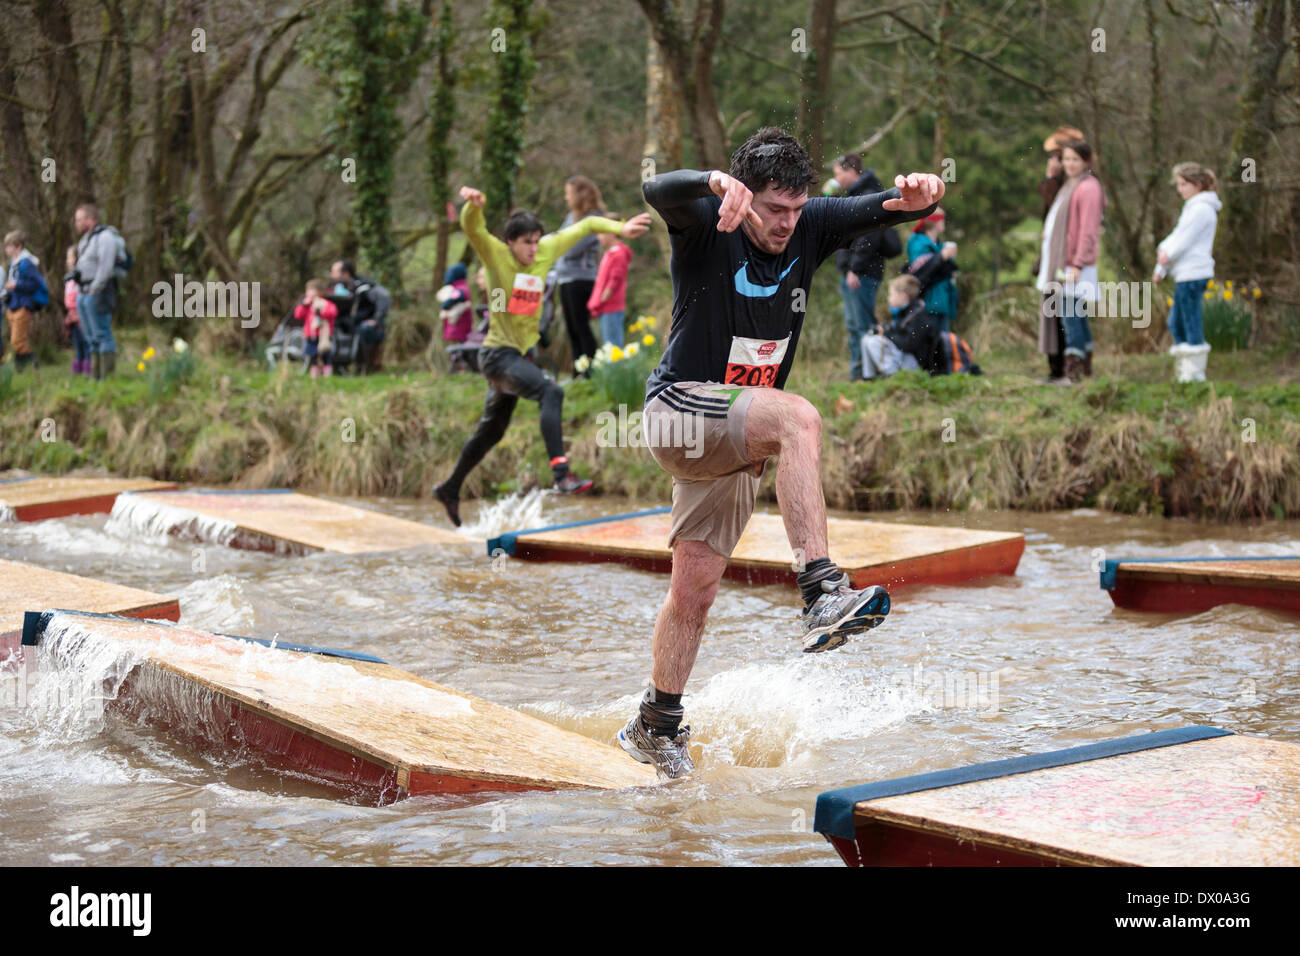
1129	440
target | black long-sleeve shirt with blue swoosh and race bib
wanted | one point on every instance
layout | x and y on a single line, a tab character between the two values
738	312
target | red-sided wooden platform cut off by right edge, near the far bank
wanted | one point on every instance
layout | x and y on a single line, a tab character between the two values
1191	586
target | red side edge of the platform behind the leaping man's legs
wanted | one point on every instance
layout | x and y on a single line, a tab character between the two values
946	568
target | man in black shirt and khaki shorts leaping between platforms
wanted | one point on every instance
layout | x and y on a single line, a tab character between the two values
716	408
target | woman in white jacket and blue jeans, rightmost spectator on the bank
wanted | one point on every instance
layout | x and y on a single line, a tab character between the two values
1188	253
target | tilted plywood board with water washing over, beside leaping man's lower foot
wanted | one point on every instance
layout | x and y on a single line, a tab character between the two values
426	737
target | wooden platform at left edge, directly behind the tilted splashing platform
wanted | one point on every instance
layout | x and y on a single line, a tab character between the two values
25	586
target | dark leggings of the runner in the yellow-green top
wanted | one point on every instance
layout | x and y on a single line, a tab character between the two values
510	378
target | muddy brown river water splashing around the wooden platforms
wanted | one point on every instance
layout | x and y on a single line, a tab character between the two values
959	674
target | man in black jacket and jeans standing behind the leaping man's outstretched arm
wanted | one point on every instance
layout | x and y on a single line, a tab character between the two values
863	262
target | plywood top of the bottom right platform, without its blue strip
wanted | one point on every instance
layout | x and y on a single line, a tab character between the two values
1224	802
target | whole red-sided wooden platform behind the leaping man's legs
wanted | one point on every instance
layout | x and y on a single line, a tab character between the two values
872	552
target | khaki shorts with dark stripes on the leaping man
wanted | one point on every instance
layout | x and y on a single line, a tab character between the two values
696	432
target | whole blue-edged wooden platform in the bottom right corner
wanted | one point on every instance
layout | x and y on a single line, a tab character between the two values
1199	797
